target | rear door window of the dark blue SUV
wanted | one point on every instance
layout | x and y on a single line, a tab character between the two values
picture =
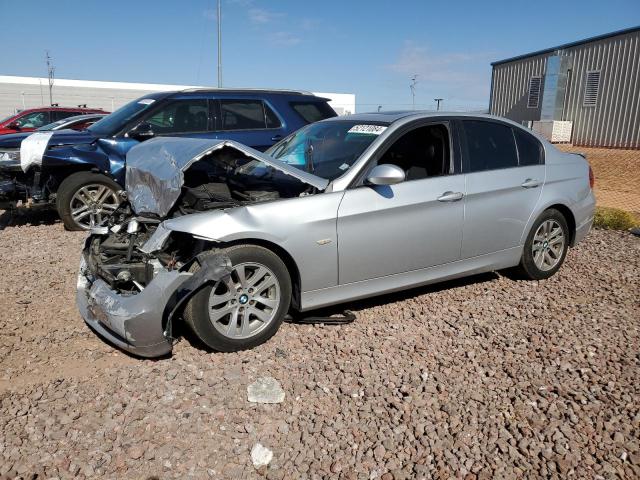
247	115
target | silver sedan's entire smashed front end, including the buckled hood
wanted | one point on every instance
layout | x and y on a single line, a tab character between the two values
136	274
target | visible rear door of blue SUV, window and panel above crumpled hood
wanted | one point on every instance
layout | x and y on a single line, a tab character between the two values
251	121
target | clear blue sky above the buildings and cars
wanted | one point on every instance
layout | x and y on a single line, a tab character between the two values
367	47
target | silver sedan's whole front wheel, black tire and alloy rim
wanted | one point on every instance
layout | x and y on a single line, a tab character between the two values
219	330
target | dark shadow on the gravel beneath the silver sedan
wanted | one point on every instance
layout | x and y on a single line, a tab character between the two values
182	331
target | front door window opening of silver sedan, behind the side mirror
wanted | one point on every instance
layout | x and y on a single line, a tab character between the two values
423	152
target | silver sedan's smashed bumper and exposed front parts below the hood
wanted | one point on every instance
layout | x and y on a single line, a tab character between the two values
130	297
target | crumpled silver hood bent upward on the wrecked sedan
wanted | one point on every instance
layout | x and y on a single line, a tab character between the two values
155	170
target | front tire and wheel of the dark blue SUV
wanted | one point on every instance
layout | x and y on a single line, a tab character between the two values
96	192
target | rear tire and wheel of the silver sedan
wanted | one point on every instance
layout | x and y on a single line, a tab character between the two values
545	239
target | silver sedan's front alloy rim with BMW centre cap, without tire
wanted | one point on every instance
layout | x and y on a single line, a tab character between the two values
245	302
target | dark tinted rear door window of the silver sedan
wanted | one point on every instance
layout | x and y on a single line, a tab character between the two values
489	146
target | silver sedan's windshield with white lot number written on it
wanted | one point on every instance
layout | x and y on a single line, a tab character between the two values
327	149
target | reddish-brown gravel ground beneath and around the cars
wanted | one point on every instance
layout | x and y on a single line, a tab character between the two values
482	378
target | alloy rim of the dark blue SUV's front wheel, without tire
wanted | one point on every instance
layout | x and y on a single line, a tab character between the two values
91	204
